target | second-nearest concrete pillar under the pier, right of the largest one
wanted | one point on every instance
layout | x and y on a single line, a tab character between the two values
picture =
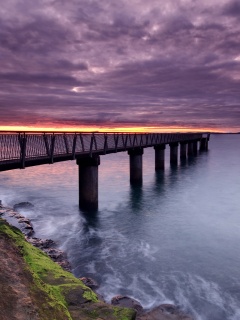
135	159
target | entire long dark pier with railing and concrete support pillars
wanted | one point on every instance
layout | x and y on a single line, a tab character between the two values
21	150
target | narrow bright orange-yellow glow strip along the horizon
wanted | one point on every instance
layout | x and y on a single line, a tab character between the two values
150	129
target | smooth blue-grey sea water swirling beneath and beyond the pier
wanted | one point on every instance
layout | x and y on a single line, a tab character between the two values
174	239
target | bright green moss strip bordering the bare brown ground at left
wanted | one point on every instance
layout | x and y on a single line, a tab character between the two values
53	305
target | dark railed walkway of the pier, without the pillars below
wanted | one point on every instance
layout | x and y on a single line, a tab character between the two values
18	150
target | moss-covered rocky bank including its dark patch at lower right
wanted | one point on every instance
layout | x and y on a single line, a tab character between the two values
57	293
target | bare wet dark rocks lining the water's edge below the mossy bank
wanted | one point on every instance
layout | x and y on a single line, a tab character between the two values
162	312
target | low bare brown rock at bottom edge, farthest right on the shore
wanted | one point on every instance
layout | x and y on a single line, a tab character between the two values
165	312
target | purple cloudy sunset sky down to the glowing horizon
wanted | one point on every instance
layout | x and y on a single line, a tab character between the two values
120	65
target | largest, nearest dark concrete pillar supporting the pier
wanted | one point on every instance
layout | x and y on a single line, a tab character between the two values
88	182
